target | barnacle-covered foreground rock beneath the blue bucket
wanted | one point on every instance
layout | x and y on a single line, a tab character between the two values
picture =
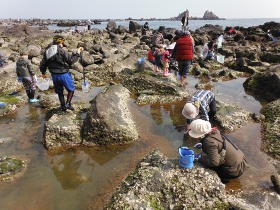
160	183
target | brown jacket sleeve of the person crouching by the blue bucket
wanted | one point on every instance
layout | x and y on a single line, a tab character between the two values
210	157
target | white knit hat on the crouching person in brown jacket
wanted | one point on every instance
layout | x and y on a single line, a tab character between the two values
199	128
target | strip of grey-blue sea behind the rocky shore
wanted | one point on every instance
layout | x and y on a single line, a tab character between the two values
193	24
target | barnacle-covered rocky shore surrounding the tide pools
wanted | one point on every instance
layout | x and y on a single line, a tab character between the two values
110	60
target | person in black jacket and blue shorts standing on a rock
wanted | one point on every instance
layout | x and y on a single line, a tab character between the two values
58	61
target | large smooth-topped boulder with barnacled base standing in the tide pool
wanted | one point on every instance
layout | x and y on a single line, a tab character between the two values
109	120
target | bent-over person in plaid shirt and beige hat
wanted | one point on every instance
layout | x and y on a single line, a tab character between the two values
198	104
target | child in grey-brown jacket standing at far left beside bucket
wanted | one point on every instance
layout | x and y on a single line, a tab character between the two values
26	75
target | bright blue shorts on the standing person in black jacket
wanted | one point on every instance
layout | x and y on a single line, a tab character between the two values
63	80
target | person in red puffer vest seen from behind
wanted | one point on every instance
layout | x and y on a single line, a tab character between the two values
184	49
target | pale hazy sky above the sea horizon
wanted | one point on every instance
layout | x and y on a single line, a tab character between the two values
120	9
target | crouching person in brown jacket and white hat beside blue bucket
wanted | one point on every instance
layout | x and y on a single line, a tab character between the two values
218	152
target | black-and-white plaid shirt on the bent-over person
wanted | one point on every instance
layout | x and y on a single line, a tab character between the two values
204	98
